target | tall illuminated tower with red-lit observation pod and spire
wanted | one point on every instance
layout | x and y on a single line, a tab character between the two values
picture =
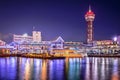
89	17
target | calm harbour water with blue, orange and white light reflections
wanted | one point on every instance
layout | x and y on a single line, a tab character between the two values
16	68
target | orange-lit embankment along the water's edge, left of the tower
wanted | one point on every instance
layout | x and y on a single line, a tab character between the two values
43	56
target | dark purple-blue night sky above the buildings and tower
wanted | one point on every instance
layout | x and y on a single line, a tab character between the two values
63	18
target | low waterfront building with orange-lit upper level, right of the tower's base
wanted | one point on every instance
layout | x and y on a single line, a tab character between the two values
103	46
